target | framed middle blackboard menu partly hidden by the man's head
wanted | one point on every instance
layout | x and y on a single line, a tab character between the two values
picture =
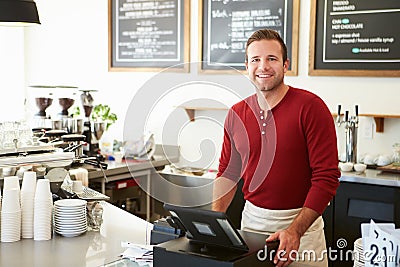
227	25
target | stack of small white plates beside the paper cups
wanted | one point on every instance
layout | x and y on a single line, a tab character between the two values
70	217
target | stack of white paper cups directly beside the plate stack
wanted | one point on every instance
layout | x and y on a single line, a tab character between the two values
43	206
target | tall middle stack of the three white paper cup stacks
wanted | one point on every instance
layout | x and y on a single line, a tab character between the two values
27	203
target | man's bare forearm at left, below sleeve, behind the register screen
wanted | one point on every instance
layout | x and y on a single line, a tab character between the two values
223	193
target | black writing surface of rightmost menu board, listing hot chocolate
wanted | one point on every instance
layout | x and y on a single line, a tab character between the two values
361	31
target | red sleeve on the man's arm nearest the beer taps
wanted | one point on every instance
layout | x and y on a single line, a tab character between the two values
323	156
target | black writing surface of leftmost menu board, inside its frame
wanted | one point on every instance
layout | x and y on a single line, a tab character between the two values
147	31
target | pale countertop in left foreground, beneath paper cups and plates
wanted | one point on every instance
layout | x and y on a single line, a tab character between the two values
89	249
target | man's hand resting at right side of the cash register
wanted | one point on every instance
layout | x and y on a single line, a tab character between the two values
289	242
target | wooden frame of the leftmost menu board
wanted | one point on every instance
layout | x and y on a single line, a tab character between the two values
153	65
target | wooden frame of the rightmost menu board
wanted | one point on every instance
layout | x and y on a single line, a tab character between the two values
314	71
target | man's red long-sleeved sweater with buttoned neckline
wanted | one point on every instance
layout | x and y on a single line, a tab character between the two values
294	163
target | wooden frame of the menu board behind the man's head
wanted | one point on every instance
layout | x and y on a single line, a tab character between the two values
294	35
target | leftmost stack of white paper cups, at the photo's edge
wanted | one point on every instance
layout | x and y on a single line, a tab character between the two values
11	216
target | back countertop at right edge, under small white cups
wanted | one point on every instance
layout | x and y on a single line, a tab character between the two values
373	177
